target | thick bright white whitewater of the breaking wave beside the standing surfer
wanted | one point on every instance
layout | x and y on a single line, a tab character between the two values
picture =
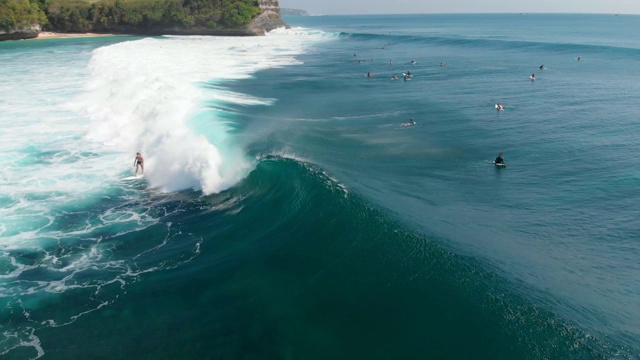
142	96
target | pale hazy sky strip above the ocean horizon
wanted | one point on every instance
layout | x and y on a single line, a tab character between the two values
334	7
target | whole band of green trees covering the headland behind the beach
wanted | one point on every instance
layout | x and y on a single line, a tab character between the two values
127	15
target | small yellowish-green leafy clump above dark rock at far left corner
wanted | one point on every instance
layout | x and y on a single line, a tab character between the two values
18	14
